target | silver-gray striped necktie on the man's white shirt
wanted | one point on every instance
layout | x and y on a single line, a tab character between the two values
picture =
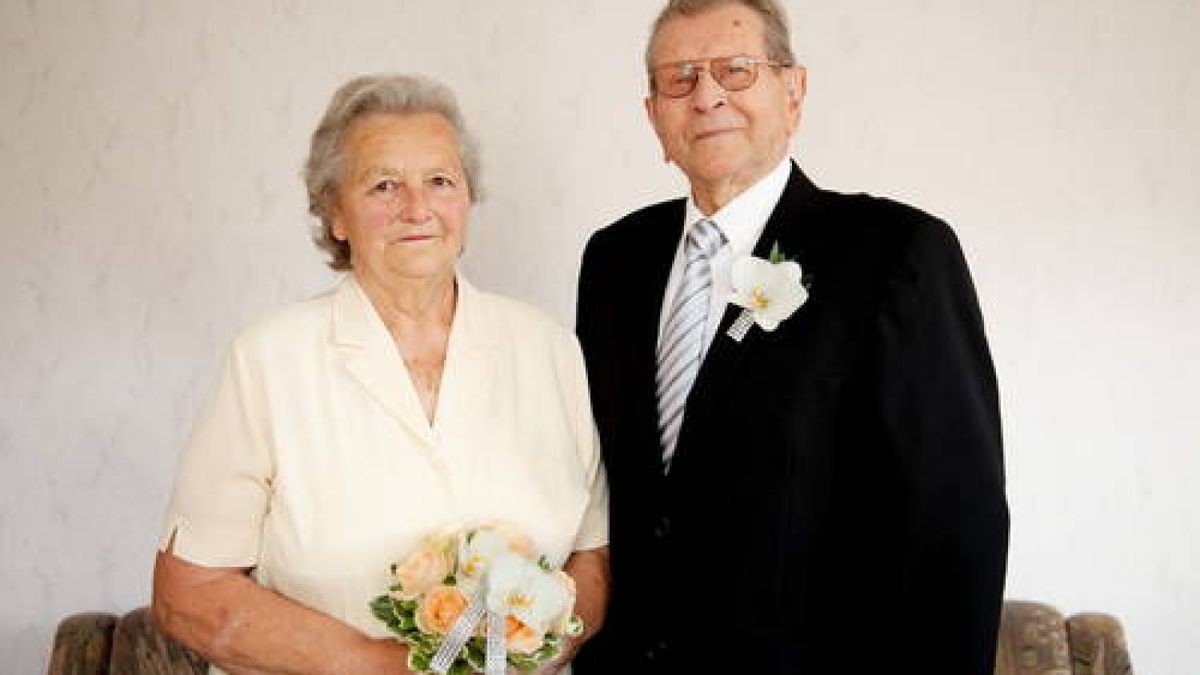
683	336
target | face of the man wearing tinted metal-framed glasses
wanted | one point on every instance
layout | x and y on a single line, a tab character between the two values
724	141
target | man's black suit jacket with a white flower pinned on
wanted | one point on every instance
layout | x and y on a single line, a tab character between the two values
836	503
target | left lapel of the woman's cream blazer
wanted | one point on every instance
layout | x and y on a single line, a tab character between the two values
373	360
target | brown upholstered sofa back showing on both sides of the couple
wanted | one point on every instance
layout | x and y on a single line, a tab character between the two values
1035	640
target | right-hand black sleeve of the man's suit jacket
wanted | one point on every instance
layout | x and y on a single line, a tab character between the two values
940	410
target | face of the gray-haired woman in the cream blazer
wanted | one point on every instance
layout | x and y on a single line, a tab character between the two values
404	201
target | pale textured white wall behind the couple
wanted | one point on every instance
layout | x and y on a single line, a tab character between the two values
149	154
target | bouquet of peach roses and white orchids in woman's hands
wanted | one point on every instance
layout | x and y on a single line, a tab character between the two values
478	601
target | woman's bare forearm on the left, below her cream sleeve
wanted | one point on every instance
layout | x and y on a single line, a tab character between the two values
249	630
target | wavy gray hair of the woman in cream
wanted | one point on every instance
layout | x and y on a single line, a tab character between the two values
361	98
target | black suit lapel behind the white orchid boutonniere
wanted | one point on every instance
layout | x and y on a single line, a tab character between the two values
727	356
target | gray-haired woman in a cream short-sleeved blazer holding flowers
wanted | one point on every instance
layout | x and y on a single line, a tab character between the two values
349	427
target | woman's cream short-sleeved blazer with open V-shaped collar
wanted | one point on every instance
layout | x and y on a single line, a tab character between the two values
315	465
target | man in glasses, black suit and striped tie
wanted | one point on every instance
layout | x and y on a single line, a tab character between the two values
809	480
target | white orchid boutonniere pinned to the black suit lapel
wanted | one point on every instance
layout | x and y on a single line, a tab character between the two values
770	291
